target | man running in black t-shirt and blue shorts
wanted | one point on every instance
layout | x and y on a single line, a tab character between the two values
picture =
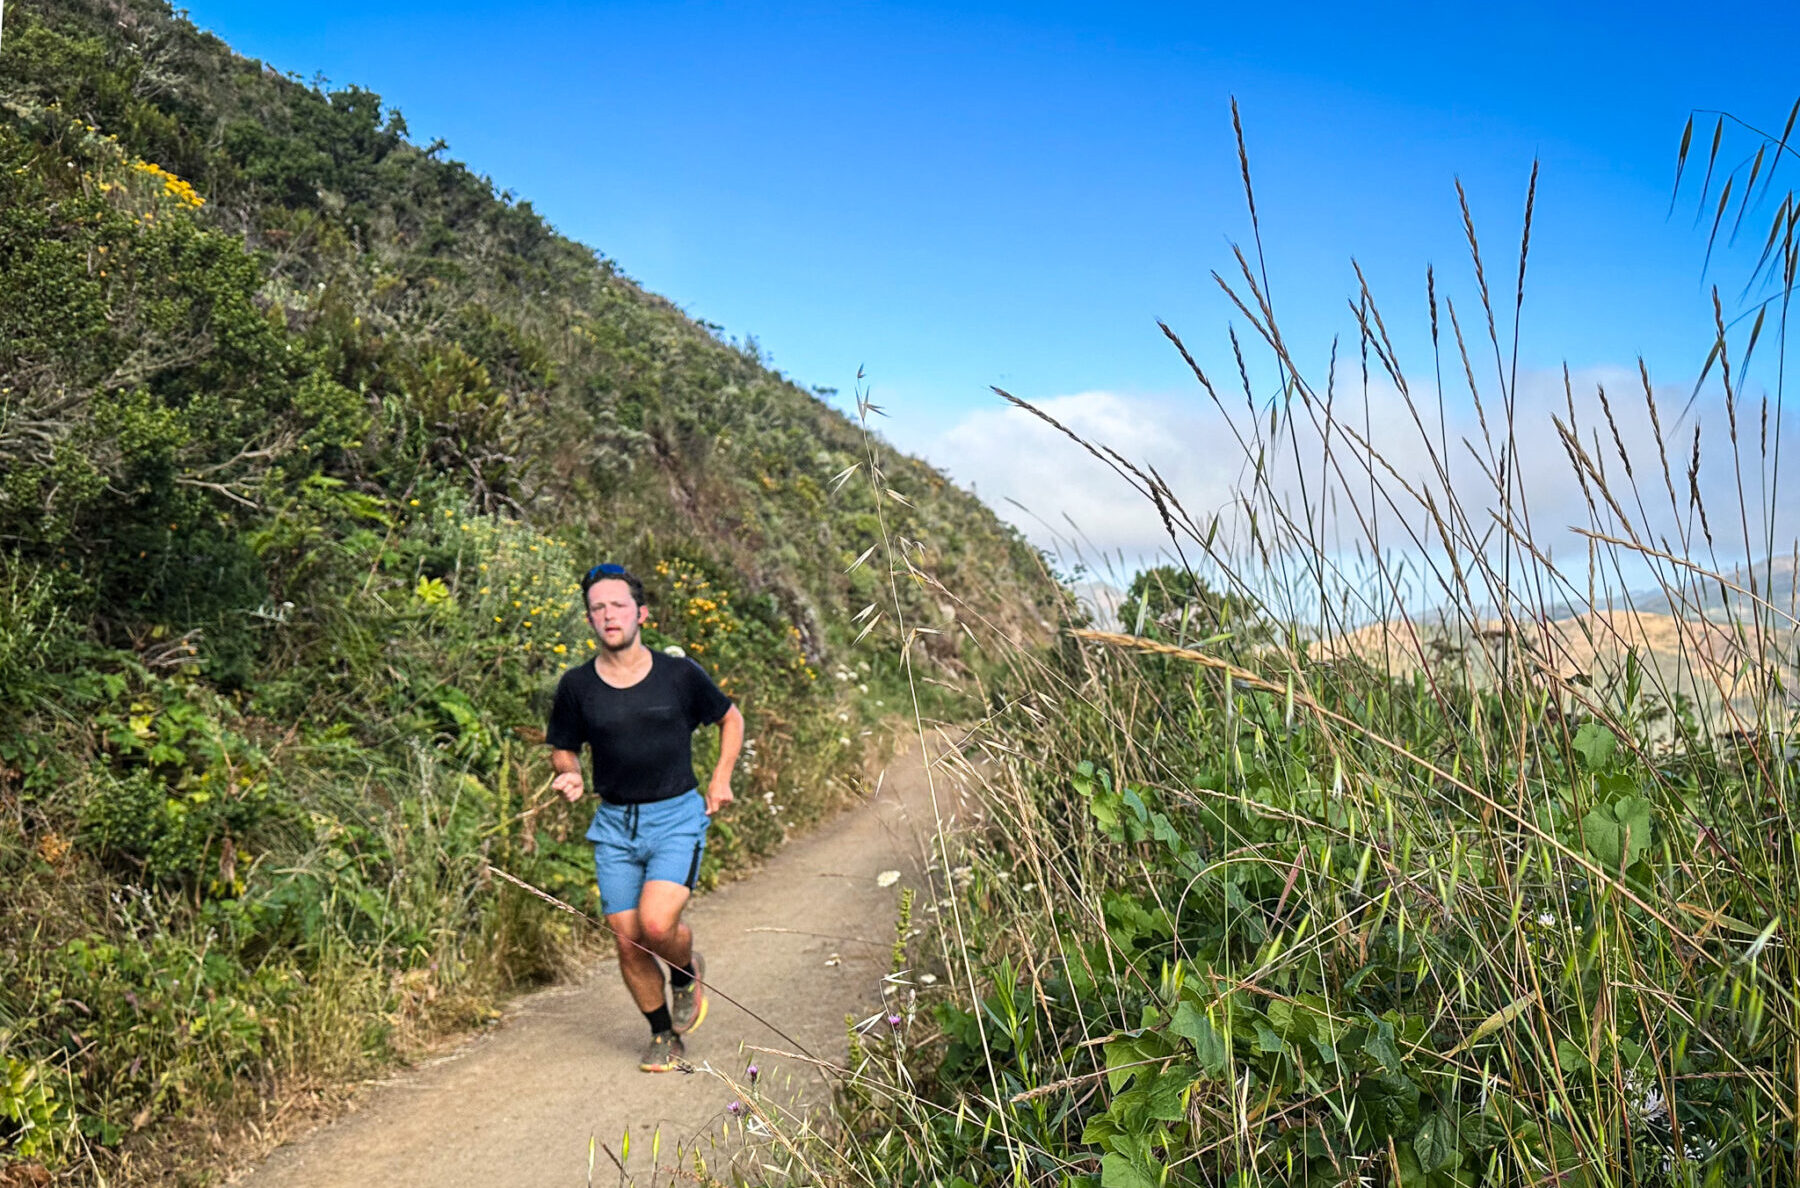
636	710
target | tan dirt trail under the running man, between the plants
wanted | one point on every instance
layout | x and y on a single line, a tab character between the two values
804	942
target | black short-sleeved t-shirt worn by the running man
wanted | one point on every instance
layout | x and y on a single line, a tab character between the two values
640	739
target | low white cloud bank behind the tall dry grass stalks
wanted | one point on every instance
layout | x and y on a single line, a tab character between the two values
1014	458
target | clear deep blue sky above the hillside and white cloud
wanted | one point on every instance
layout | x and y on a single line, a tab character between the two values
967	195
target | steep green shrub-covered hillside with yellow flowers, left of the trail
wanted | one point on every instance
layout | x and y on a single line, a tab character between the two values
305	438
